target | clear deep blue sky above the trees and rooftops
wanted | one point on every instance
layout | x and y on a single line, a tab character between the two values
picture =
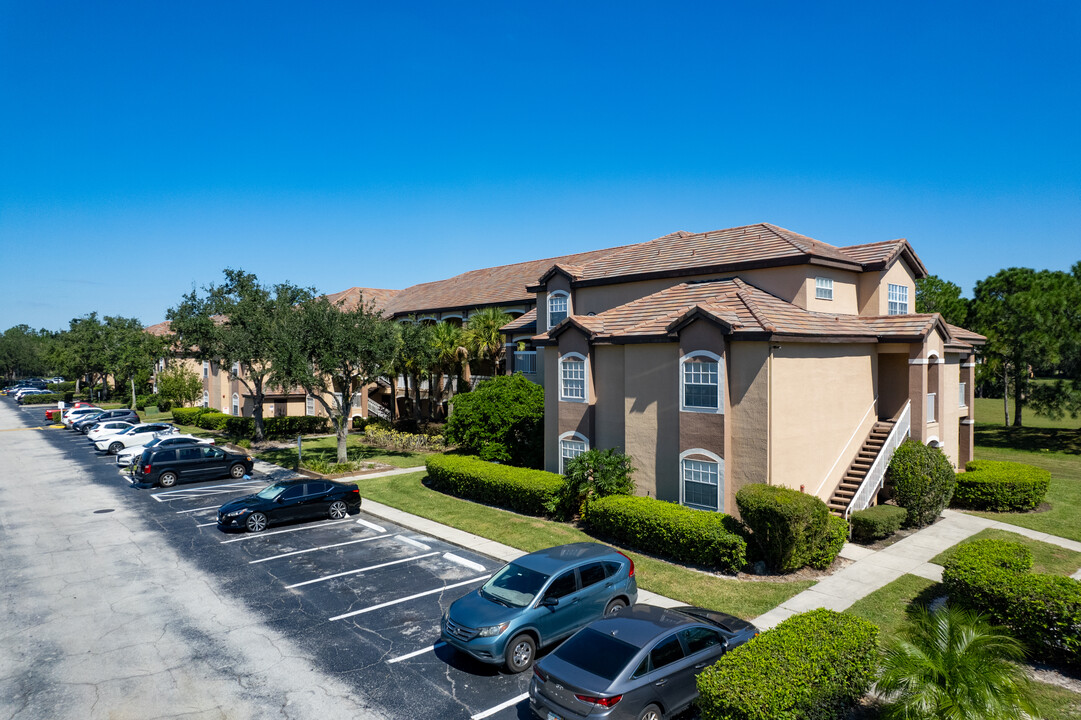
145	146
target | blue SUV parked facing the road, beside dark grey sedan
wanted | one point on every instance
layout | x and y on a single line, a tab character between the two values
540	599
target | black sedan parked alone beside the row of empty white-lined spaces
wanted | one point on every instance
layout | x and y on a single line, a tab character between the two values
290	500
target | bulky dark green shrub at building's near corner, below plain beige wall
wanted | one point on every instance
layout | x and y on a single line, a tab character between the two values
791	530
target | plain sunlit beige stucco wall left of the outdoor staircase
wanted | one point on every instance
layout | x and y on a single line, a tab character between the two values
823	410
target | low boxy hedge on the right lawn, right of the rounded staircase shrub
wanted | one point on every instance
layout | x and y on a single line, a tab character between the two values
1002	487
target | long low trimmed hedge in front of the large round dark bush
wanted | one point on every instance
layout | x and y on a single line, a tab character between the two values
530	492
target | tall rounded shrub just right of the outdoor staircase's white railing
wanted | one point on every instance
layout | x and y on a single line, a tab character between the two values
923	482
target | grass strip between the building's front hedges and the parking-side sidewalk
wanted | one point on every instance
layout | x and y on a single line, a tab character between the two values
744	598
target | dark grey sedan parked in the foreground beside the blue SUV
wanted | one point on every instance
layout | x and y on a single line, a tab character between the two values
638	665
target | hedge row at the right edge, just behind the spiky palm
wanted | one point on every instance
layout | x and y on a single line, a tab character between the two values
993	577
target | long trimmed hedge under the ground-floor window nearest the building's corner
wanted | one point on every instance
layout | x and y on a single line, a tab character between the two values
666	529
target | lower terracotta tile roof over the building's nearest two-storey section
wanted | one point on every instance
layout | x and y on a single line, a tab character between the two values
745	311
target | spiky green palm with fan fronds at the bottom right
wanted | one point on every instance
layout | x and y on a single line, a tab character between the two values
952	665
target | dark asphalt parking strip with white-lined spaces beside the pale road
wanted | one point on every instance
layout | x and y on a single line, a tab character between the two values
362	597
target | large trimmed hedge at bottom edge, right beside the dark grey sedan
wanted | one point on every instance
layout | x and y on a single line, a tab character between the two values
813	666
